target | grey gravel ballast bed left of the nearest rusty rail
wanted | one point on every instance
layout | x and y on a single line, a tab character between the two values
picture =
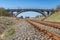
25	31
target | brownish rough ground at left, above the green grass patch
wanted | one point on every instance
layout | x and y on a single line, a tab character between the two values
6	22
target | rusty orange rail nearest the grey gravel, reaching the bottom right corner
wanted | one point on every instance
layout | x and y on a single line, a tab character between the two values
50	34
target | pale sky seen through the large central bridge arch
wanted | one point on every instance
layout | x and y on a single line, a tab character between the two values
30	14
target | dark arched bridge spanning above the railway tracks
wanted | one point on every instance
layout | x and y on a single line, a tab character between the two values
42	11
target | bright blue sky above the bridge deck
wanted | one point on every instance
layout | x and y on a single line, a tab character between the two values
29	4
